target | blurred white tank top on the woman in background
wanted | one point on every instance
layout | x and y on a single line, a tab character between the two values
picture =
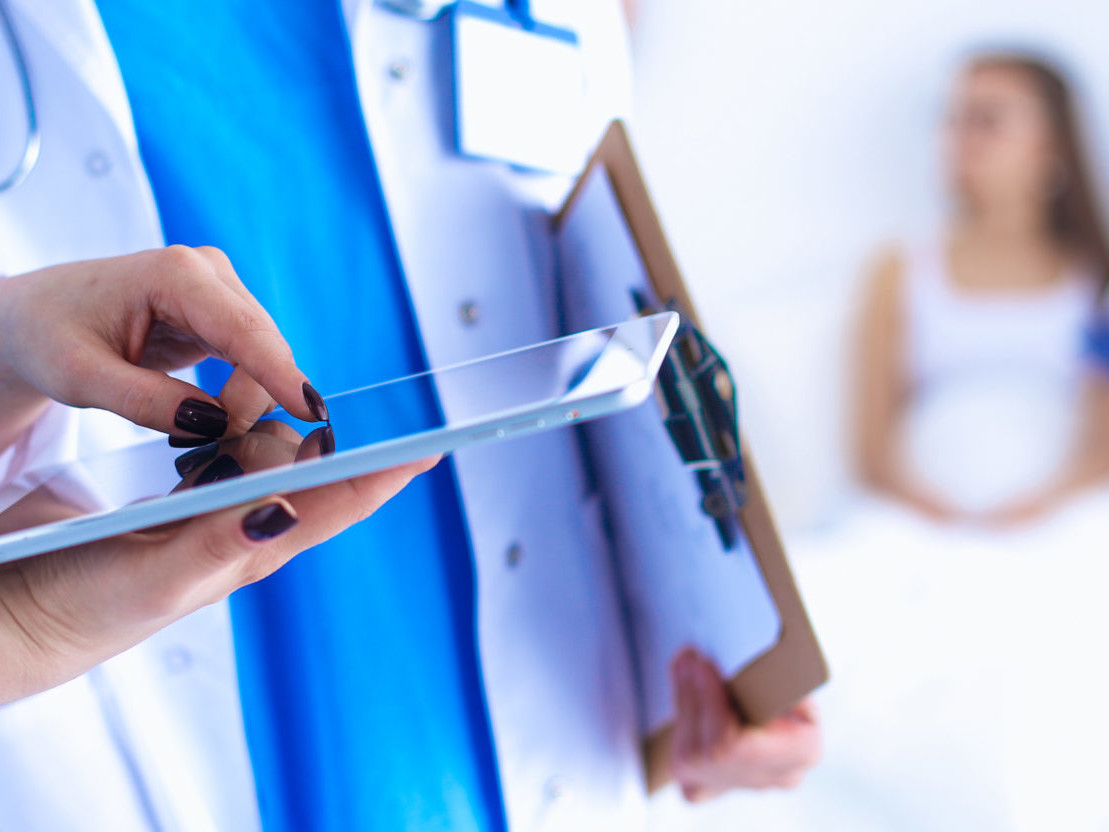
996	381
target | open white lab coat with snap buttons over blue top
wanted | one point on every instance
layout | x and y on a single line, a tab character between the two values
154	739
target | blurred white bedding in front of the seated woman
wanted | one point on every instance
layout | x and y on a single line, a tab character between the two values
971	684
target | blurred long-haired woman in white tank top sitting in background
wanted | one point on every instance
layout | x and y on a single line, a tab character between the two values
978	401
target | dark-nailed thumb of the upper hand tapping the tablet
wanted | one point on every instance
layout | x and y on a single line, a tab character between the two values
150	399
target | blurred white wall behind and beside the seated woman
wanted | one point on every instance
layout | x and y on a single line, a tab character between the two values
785	143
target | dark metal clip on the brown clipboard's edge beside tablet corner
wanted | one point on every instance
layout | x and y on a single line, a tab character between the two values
698	399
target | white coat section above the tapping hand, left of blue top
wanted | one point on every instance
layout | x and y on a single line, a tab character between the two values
88	196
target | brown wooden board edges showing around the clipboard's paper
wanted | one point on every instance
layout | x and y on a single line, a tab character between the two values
795	667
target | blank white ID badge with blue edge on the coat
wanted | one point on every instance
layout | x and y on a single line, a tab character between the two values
520	89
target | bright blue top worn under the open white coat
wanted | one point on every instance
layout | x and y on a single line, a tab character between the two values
358	664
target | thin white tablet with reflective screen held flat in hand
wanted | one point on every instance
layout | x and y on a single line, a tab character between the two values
540	388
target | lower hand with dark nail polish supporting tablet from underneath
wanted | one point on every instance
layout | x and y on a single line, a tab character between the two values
68	611
